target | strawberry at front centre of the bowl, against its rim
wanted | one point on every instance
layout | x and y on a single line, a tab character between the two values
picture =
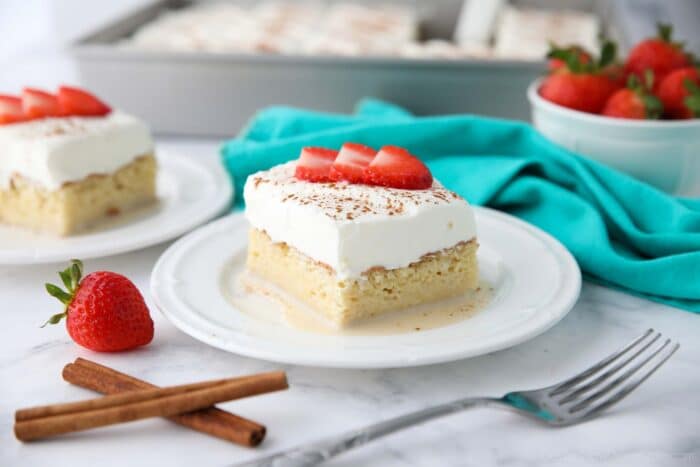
636	101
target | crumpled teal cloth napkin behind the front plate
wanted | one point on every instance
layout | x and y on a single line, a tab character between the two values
622	232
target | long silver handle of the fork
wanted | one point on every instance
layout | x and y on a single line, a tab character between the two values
315	453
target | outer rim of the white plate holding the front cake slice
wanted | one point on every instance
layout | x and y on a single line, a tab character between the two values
553	312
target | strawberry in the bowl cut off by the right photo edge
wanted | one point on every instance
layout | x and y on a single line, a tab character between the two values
680	93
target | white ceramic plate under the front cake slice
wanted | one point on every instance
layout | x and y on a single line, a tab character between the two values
536	282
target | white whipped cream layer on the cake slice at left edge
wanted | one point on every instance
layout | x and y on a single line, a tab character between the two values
53	151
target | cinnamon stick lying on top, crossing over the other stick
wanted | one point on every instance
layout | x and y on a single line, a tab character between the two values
151	404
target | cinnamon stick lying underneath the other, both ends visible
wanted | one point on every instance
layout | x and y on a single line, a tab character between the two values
211	421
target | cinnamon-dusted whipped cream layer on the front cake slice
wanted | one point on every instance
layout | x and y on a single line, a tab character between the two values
355	228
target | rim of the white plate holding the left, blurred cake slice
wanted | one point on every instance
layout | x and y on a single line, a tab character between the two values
224	196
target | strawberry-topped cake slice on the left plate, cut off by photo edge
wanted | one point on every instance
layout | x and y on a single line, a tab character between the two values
68	161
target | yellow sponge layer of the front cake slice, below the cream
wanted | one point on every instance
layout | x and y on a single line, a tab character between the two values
439	275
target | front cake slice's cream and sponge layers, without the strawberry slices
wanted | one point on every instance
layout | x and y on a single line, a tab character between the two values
354	250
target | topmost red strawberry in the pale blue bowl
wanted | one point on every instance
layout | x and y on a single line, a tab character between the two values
658	54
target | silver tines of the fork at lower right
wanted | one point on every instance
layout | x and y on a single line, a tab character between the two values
602	385
